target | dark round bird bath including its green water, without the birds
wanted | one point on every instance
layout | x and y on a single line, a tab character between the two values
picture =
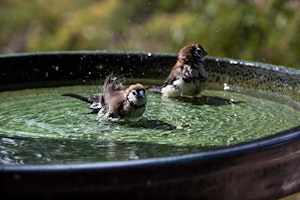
180	148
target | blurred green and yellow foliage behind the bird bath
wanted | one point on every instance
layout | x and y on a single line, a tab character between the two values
261	30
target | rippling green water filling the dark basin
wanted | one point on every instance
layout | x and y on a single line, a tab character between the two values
38	126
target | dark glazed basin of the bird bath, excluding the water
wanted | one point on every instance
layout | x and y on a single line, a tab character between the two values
265	168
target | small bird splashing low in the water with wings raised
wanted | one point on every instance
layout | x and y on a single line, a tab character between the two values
115	102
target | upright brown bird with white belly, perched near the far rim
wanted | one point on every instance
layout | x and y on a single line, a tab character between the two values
188	75
